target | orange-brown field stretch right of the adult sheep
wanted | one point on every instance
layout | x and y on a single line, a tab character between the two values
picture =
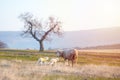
93	57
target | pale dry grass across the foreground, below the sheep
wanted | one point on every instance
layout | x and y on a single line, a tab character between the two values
11	70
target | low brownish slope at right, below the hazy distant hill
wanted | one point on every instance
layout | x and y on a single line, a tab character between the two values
113	46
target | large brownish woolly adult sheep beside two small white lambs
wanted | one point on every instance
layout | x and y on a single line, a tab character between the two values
69	54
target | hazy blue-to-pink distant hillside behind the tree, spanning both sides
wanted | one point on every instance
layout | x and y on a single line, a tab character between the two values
70	39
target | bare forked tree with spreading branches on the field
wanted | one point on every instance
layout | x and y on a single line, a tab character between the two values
41	30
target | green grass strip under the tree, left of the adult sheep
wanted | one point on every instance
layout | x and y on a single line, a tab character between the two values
30	55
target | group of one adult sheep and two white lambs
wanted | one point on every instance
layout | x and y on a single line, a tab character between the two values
67	54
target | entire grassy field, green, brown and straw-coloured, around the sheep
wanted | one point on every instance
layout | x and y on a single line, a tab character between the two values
92	65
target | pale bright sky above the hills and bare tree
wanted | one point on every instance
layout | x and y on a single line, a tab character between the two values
74	14
